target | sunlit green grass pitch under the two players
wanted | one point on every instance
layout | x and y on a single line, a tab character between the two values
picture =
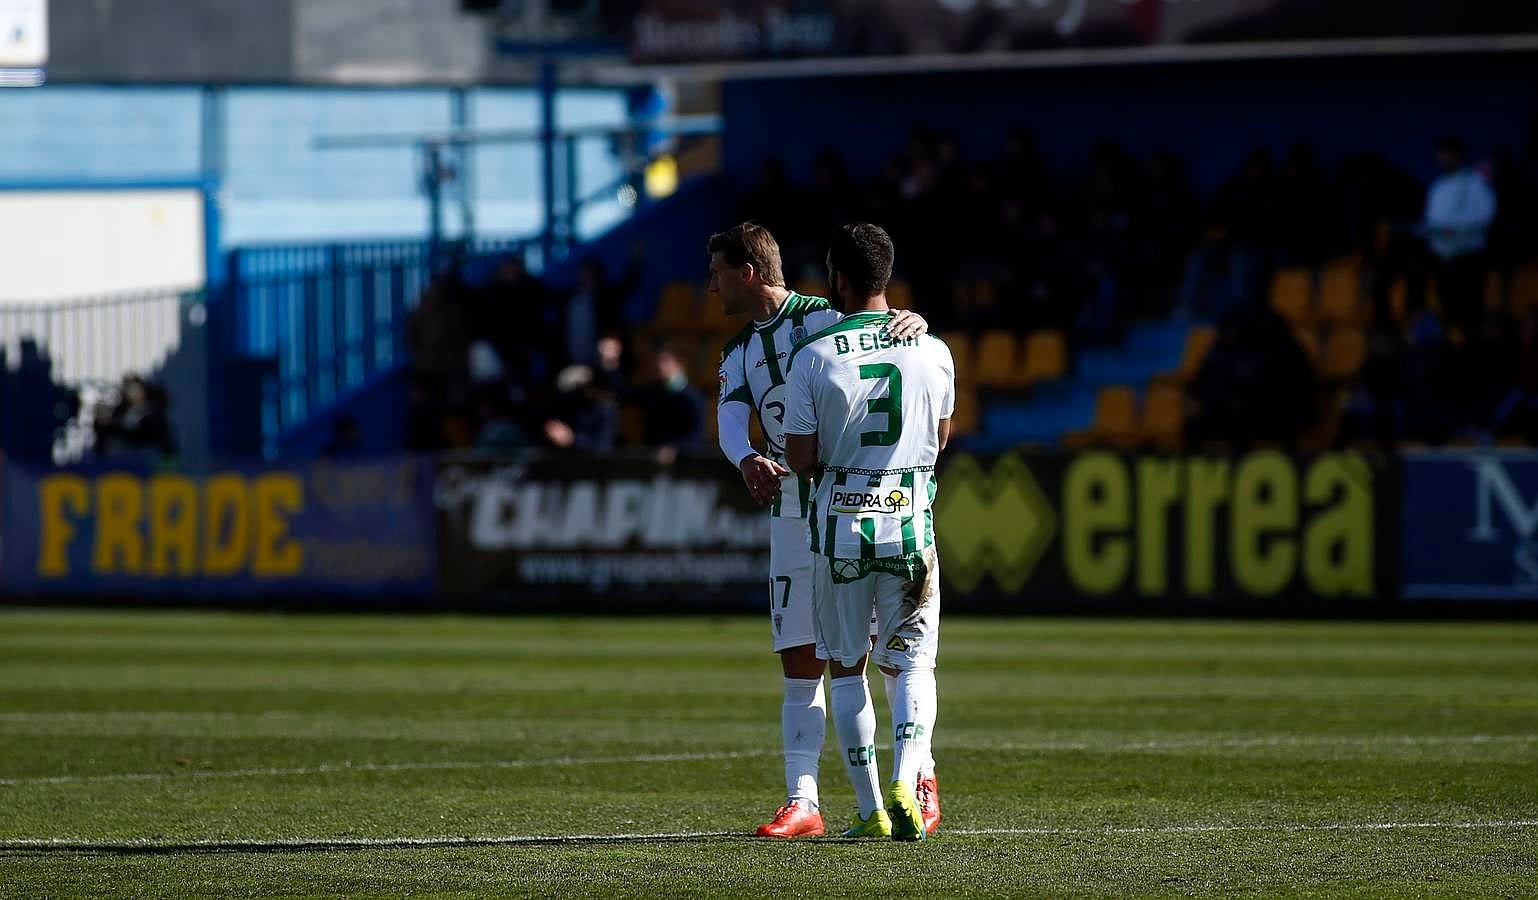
190	755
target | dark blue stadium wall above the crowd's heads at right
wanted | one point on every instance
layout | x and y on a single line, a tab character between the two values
1208	113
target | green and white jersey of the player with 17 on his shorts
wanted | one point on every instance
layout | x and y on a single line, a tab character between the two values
753	373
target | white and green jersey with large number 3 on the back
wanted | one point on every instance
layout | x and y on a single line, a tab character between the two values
876	407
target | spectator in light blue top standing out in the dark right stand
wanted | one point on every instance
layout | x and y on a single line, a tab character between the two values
1460	208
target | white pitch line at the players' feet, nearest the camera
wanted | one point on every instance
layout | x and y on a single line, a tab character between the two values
321	844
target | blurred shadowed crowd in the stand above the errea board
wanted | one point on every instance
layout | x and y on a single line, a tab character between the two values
1010	244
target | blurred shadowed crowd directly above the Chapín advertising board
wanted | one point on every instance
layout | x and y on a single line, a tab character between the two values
518	364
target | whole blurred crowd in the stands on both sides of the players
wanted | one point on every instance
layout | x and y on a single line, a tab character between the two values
1010	244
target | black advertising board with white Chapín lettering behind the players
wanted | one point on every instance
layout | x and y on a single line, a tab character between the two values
628	533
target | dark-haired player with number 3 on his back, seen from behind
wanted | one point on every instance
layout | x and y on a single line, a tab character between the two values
870	413
